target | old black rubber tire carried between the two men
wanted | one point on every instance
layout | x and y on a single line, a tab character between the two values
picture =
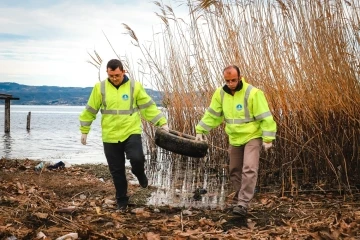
180	143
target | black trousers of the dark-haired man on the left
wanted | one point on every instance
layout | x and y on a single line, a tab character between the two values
115	156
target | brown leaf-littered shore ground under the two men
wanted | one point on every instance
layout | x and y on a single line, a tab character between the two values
184	201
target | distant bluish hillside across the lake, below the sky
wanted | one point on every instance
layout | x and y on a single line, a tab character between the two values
50	95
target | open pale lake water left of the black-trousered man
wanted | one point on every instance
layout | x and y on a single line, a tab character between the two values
54	135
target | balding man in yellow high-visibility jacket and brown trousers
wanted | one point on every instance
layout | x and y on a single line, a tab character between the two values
249	125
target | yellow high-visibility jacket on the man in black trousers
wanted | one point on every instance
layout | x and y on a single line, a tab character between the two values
120	109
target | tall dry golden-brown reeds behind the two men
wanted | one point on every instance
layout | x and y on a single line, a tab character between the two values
303	54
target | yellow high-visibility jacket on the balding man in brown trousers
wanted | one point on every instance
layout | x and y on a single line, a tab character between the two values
246	114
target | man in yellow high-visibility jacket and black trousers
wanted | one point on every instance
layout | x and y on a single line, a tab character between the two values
121	101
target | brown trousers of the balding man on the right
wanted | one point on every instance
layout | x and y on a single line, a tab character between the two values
243	168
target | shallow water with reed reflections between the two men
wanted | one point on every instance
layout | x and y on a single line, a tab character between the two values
178	180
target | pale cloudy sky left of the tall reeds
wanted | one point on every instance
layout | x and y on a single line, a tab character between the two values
46	42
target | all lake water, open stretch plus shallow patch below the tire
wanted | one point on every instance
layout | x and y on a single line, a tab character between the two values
54	136
